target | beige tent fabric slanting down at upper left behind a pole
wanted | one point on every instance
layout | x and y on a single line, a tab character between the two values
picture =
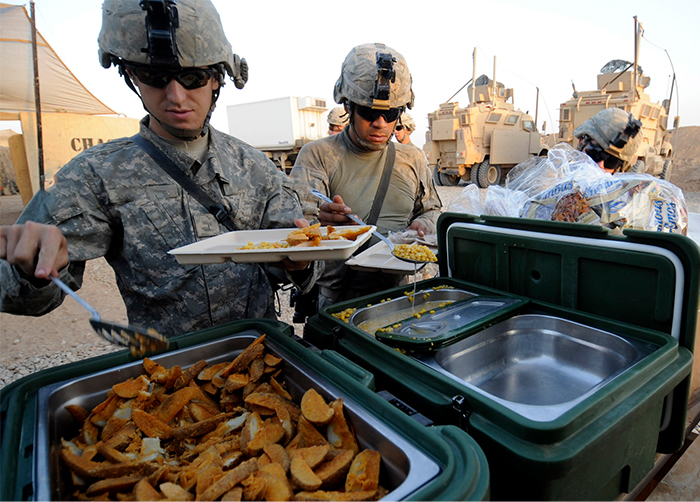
60	90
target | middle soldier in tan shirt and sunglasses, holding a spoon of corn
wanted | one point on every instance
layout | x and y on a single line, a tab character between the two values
384	183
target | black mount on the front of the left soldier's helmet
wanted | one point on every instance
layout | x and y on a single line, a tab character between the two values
161	22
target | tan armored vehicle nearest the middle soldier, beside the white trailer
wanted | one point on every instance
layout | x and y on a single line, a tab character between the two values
482	142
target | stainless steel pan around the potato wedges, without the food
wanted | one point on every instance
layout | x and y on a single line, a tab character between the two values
404	468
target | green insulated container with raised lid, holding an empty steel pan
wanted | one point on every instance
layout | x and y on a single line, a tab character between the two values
573	392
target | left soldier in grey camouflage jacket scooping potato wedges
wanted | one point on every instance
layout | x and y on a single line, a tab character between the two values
116	200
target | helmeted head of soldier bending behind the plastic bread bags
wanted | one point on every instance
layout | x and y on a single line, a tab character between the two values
611	138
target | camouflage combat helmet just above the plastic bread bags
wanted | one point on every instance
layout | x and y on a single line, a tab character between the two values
616	131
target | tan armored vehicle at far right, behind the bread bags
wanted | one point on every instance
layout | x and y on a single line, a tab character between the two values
621	84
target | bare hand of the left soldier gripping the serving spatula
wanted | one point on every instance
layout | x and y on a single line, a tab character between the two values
39	250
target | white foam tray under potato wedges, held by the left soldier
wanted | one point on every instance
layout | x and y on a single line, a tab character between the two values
226	246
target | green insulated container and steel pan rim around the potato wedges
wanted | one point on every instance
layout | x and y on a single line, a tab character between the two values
418	462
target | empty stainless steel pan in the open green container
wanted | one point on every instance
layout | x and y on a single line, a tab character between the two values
538	366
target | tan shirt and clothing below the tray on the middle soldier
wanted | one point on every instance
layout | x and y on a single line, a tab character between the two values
336	166
